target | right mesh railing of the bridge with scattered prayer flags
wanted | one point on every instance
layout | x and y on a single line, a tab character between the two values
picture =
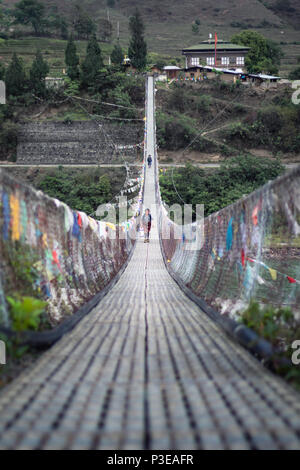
250	249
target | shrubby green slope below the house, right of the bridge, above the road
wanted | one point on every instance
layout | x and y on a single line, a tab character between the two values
211	121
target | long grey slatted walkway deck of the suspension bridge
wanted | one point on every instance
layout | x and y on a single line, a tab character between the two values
147	368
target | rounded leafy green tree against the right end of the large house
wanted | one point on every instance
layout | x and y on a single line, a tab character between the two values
264	55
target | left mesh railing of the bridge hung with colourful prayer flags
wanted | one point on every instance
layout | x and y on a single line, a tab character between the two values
72	256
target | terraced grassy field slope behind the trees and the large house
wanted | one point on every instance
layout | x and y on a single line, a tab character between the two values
169	26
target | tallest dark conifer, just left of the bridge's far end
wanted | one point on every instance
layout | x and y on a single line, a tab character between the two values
137	50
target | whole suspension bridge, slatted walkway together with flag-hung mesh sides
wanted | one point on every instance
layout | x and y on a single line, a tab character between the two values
152	365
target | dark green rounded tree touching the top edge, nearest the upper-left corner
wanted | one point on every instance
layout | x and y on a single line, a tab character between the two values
30	12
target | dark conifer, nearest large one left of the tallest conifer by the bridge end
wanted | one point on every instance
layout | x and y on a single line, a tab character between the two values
92	63
